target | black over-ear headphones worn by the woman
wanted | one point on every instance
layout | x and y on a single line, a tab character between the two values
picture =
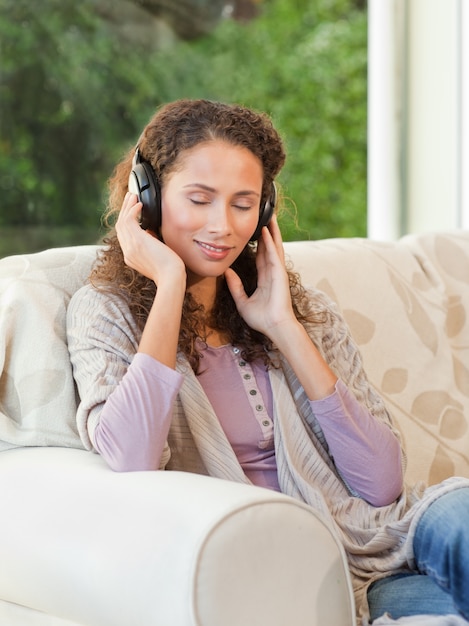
144	184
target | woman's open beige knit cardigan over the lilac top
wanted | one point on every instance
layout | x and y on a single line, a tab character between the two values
378	541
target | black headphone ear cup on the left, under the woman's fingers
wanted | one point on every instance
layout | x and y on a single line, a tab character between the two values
143	183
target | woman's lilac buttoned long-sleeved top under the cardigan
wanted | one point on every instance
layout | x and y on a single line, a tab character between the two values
139	413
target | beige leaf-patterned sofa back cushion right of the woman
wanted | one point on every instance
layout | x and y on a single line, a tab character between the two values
407	304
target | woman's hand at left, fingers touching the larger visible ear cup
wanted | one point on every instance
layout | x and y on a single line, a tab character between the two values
142	250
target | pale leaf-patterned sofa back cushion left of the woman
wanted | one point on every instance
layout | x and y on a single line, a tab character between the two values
37	392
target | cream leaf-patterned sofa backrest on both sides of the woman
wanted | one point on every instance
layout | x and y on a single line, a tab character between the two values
406	302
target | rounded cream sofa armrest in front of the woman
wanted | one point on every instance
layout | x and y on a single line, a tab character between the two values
84	544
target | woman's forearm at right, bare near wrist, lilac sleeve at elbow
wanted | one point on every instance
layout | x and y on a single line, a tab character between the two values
365	450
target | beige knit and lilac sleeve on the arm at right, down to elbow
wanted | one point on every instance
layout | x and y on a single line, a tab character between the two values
355	421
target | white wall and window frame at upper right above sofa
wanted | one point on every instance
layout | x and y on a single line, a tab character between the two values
418	124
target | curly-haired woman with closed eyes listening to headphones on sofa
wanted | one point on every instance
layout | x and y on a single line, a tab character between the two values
194	348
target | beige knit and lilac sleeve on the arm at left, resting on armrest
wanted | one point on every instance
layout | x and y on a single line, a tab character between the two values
125	398
